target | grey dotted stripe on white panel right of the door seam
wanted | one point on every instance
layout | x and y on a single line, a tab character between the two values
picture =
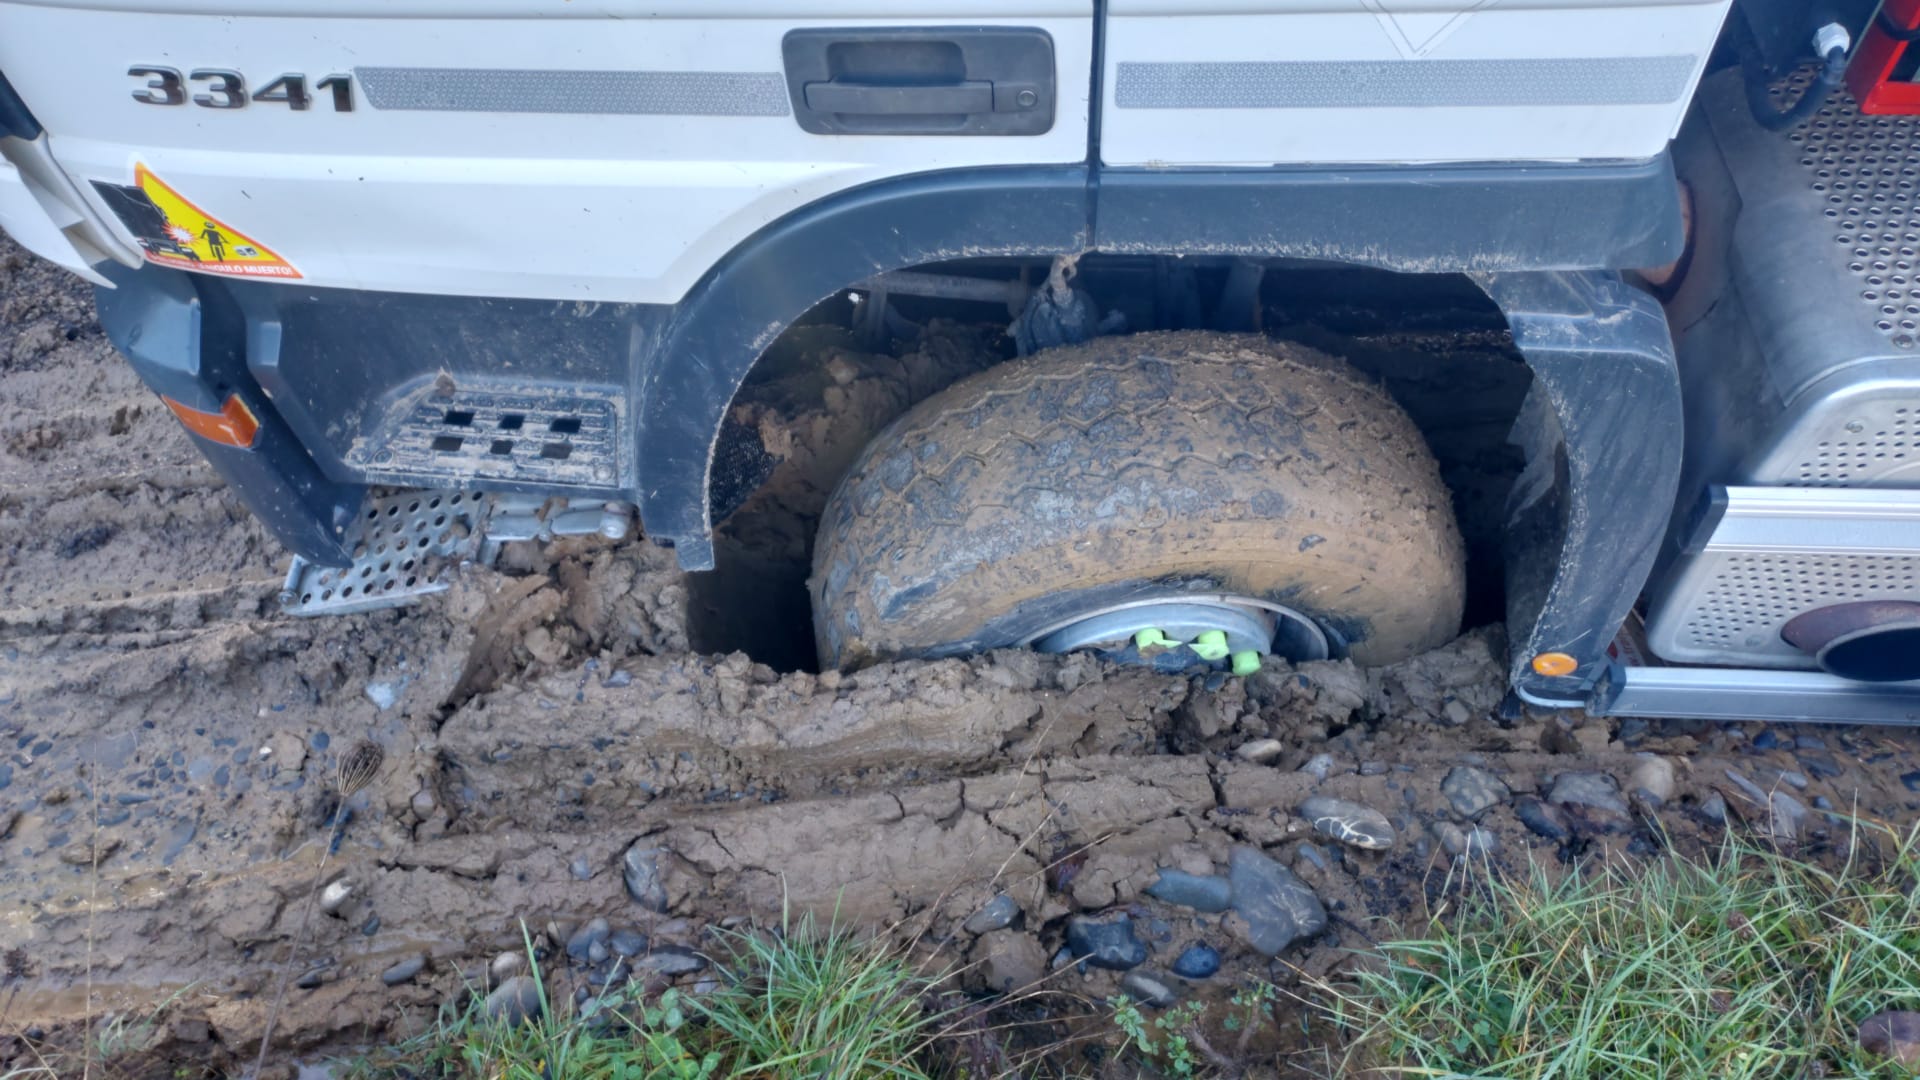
1404	84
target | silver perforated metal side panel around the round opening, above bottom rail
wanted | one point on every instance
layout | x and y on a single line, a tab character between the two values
1764	556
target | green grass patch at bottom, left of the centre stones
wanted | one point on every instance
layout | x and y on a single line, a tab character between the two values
804	1004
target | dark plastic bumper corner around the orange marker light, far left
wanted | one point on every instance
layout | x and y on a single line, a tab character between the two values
191	351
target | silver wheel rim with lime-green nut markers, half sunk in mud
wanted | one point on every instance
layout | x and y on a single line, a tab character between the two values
1214	627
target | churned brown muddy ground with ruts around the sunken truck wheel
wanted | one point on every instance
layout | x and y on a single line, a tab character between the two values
170	745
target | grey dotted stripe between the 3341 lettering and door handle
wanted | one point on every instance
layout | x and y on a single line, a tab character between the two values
588	93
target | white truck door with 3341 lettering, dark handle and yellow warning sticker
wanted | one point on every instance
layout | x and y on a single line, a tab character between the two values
525	149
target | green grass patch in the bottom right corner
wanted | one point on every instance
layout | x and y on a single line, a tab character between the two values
1748	966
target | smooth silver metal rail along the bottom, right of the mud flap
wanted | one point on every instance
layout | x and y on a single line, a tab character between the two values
1746	695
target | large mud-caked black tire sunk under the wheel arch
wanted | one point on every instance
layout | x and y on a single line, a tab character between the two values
1132	468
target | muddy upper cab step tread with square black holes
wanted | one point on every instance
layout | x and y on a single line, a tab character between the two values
450	437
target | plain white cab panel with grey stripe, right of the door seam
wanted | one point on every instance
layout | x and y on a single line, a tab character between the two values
1397	82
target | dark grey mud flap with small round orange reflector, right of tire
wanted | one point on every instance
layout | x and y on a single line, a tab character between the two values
1602	433
